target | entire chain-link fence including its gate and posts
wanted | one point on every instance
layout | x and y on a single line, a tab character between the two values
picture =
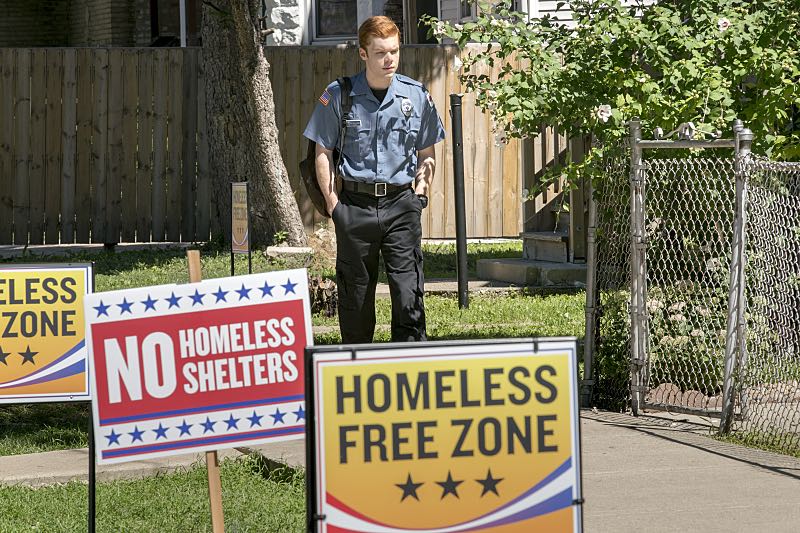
681	315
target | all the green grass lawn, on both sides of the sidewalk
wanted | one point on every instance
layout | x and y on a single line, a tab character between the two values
253	500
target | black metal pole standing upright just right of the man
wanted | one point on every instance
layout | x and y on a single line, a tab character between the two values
461	221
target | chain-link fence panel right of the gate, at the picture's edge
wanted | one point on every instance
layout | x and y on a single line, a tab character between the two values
769	374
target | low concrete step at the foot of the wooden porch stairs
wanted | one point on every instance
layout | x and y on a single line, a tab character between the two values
533	273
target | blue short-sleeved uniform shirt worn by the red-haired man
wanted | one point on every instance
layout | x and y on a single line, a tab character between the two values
382	138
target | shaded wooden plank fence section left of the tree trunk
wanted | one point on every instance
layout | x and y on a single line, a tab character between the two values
102	145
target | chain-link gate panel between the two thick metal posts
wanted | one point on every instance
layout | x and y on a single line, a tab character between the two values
688	218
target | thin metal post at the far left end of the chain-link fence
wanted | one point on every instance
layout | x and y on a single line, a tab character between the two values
591	301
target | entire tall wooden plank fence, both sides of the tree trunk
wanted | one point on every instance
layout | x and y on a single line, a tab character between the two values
109	145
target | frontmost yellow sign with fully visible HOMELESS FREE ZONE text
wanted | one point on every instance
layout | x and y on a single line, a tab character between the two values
447	439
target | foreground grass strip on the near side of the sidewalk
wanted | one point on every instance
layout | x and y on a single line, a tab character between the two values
253	501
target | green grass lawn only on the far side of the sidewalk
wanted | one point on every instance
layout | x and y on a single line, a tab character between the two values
30	428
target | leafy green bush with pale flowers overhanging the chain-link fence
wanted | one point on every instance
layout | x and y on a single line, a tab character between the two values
701	61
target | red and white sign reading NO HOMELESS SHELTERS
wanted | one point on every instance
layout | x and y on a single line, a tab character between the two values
197	367
